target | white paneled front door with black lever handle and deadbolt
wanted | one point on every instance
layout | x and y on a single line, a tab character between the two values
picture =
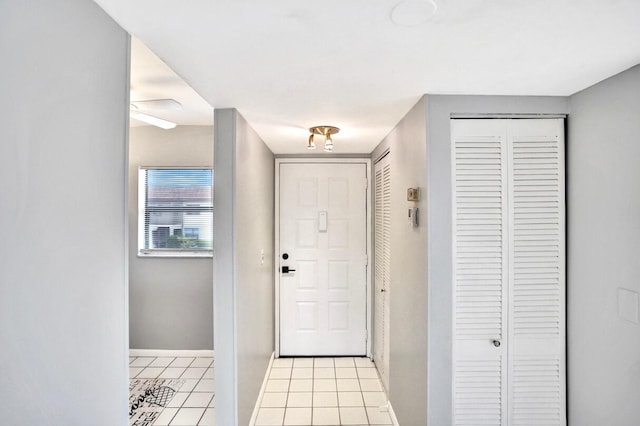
323	258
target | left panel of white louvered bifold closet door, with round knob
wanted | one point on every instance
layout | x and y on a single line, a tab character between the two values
480	271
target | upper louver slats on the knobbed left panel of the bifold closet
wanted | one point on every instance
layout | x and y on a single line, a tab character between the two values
479	245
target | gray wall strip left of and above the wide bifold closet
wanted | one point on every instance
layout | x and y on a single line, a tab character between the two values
439	110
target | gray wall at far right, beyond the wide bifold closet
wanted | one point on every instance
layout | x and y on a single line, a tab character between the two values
604	251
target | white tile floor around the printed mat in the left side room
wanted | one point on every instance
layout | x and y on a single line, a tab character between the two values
194	403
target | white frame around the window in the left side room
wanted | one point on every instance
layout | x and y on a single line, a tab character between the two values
174	252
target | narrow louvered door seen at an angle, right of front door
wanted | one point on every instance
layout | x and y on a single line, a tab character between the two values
382	267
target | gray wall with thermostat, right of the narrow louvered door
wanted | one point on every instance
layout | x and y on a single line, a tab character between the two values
408	290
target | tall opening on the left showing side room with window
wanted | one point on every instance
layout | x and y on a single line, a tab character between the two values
171	359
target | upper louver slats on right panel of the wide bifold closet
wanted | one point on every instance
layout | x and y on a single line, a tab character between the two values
537	284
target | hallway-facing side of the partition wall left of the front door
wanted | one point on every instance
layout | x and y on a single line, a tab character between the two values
254	280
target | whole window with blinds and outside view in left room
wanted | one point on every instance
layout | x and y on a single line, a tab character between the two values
175	212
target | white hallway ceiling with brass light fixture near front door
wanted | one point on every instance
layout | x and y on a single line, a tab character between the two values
287	65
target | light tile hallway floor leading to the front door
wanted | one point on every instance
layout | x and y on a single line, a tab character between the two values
323	391
